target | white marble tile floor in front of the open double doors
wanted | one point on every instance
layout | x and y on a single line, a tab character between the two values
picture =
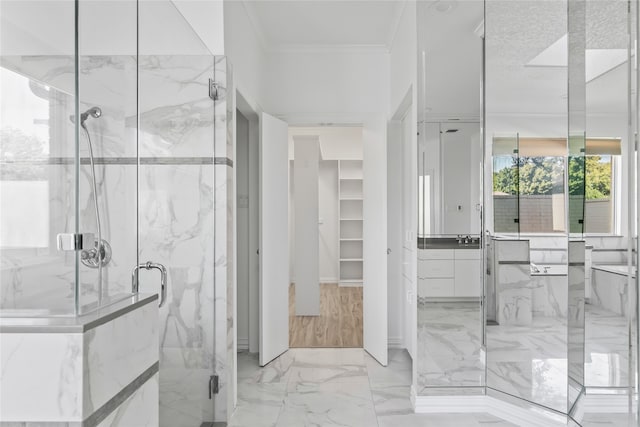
335	387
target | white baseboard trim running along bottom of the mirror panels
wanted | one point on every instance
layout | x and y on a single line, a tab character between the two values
525	417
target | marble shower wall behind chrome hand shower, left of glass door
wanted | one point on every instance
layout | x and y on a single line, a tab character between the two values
108	82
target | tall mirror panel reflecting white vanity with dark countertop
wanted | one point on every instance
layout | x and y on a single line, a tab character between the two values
450	356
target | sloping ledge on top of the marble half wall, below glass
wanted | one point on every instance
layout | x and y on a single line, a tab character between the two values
79	324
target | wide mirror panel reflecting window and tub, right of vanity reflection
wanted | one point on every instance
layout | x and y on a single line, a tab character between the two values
525	95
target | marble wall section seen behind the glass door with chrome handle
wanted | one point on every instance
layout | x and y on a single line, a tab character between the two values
185	223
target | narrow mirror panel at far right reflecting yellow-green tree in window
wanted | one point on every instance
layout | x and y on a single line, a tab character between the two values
606	230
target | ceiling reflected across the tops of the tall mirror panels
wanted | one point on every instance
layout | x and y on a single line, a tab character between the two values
516	32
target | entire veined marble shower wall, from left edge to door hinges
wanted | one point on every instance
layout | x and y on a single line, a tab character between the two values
184	201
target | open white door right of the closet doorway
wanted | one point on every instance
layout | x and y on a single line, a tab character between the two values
374	238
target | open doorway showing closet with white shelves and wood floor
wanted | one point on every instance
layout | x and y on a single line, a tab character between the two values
325	235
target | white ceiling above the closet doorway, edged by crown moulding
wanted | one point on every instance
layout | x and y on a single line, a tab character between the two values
324	23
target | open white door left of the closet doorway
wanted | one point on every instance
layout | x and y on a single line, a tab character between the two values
274	238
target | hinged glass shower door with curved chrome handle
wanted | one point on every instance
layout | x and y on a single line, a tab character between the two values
176	208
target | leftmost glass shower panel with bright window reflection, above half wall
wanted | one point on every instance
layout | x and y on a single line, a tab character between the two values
37	157
